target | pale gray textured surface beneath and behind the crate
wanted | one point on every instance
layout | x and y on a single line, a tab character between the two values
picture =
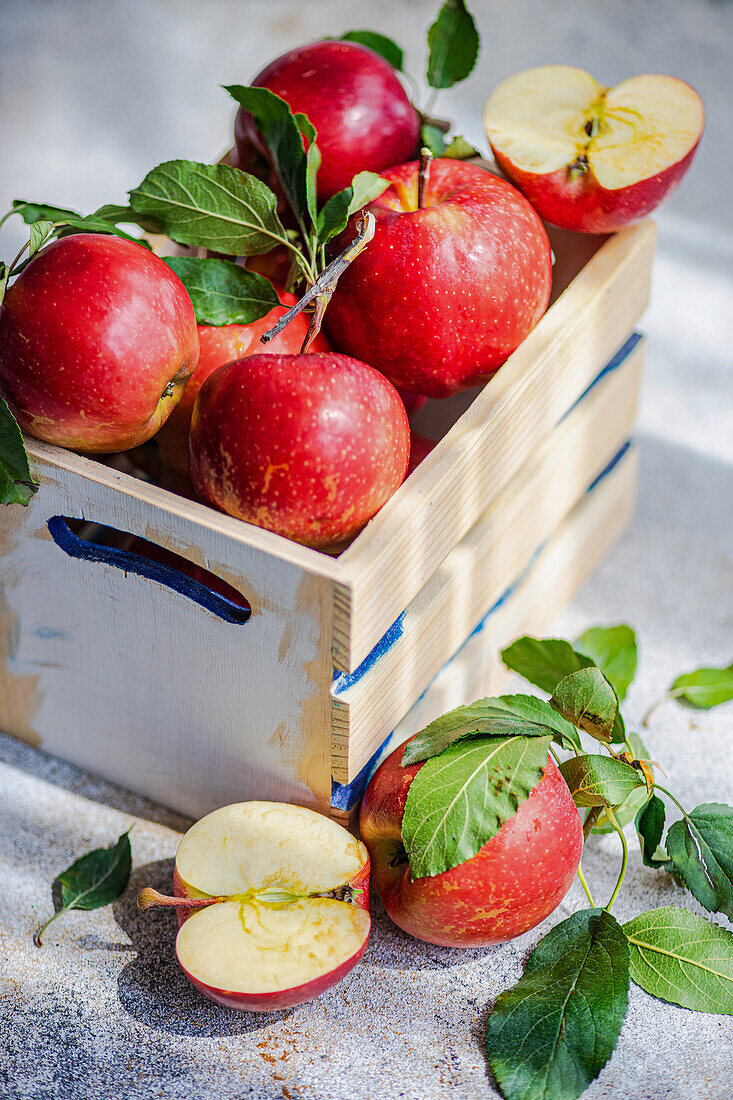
94	94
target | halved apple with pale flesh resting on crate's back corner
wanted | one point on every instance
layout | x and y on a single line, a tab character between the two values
593	159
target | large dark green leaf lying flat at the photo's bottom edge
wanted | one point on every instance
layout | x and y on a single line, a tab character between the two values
551	1036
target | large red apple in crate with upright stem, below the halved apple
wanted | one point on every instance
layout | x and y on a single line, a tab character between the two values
445	293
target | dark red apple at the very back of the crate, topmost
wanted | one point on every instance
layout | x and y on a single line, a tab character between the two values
363	115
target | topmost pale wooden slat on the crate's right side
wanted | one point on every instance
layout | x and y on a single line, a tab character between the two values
403	546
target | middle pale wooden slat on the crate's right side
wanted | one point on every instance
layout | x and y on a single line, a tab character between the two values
476	574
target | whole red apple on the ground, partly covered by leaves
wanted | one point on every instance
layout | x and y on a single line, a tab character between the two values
510	886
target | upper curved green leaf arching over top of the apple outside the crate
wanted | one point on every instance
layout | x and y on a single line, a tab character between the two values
521	716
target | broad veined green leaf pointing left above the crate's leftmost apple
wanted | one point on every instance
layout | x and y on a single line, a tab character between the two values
212	206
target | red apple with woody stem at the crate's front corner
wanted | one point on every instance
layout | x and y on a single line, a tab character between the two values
308	446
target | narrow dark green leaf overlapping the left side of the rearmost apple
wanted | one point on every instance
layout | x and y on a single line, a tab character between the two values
283	138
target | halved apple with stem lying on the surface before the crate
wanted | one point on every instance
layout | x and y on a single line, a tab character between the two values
272	901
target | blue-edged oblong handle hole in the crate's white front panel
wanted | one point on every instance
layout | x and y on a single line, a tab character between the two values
96	543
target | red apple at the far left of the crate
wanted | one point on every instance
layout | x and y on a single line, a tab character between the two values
97	342
